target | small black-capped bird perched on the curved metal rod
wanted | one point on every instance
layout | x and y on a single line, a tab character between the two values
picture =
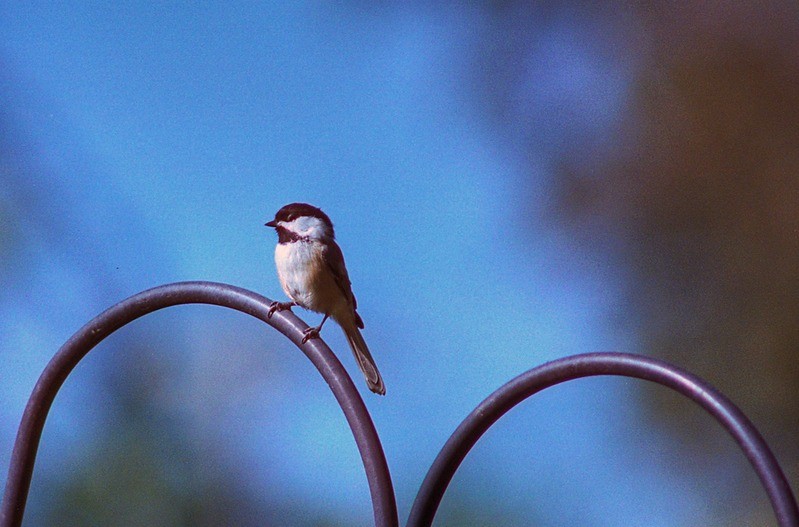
312	273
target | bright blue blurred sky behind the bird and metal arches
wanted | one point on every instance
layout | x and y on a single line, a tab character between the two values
162	138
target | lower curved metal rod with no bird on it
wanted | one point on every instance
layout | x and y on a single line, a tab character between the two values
593	364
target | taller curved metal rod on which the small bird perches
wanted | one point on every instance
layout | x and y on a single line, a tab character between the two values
56	371
